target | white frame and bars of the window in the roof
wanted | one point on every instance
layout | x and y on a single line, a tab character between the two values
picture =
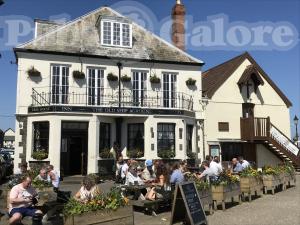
112	34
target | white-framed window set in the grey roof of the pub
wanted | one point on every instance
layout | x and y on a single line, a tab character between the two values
115	33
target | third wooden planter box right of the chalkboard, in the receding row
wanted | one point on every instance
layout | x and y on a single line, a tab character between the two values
251	186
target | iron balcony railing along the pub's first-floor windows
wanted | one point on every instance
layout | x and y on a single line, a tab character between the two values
101	97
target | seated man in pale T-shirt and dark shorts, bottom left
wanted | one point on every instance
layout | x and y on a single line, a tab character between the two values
21	201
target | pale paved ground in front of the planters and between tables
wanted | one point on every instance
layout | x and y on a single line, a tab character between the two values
283	208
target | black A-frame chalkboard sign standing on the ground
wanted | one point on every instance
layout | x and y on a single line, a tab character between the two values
186	195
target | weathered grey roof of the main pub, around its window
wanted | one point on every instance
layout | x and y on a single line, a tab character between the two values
81	37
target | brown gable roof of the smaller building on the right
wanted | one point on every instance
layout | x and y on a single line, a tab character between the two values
213	78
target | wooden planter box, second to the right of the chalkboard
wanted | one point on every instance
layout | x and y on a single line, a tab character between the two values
222	193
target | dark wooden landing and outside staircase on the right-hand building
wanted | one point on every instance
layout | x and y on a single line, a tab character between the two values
261	130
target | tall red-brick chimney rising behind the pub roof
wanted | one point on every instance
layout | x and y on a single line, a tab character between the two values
178	28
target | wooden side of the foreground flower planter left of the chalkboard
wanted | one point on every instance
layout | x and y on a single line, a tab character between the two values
122	216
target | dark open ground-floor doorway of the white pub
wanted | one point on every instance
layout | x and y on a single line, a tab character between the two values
74	148
